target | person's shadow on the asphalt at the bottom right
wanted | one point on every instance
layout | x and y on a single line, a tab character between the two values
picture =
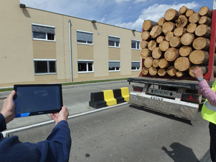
180	153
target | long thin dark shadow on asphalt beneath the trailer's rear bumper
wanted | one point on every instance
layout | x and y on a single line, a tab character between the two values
161	114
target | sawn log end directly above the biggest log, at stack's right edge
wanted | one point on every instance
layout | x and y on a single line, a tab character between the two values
201	43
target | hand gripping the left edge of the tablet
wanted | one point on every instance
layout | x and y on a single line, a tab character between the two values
8	110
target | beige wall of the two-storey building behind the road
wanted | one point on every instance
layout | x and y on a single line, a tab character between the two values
18	49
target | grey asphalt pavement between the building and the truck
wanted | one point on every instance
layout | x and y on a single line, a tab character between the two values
123	133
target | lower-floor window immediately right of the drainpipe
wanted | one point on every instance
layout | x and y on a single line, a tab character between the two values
85	66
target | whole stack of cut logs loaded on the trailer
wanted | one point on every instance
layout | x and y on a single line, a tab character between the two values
177	43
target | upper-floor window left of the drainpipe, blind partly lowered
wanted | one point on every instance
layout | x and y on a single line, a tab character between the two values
43	32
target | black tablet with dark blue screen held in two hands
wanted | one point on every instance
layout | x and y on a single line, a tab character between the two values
35	99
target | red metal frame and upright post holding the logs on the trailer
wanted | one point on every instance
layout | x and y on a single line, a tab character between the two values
209	76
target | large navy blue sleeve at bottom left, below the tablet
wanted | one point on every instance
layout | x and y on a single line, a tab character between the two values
55	148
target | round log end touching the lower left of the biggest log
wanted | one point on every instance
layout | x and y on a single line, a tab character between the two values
182	63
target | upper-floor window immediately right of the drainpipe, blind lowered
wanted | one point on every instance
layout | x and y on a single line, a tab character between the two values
84	37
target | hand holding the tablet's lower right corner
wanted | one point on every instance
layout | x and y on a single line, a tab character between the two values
62	115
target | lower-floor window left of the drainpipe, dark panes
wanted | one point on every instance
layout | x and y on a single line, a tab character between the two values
45	66
